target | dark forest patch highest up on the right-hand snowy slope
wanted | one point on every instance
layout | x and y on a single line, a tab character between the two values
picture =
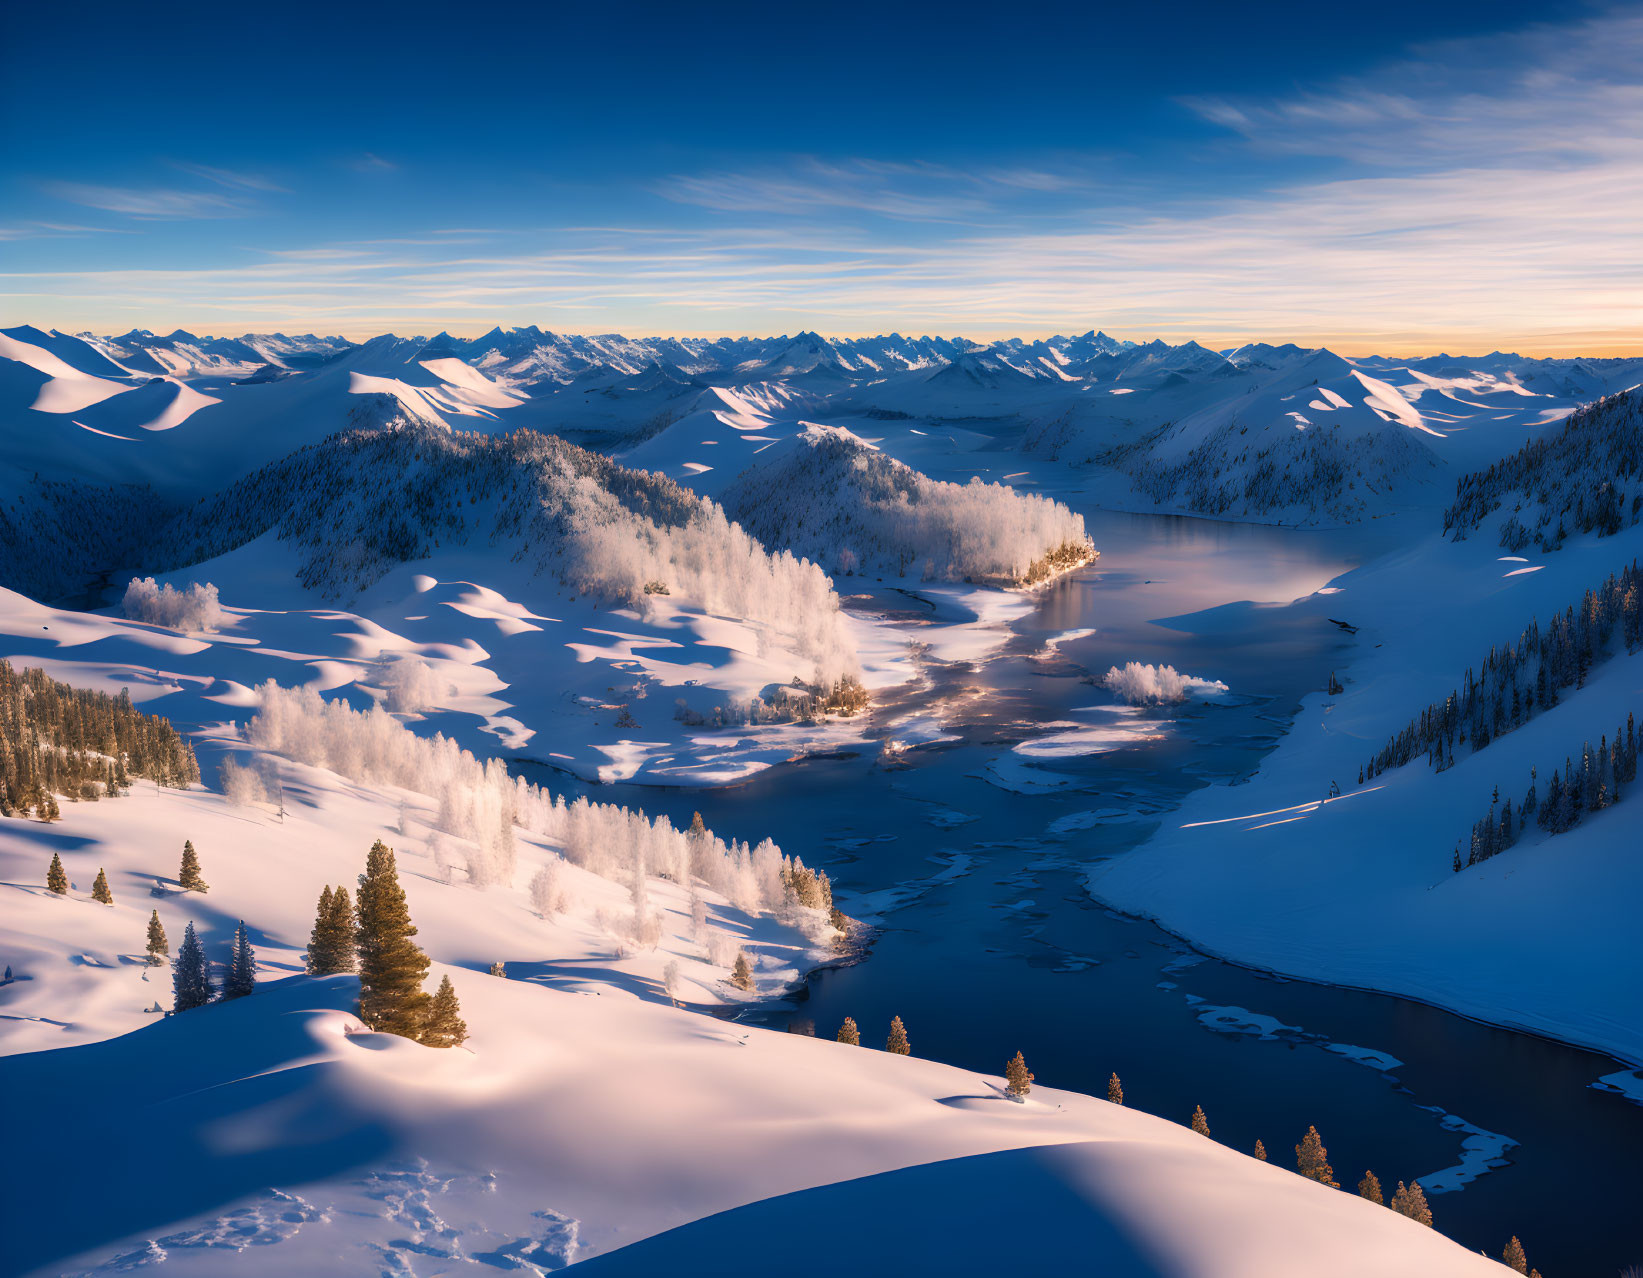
1570	480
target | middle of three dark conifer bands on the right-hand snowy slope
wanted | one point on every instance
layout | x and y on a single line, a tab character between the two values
1522	679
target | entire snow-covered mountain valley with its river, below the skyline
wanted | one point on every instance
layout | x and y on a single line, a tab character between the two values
998	646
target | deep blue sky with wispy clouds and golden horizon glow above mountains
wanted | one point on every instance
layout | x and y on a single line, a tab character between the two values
1414	177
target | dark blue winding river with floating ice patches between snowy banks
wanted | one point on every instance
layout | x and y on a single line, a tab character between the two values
970	862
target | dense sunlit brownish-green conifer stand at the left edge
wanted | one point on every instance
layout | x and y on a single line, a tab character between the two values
57	740
